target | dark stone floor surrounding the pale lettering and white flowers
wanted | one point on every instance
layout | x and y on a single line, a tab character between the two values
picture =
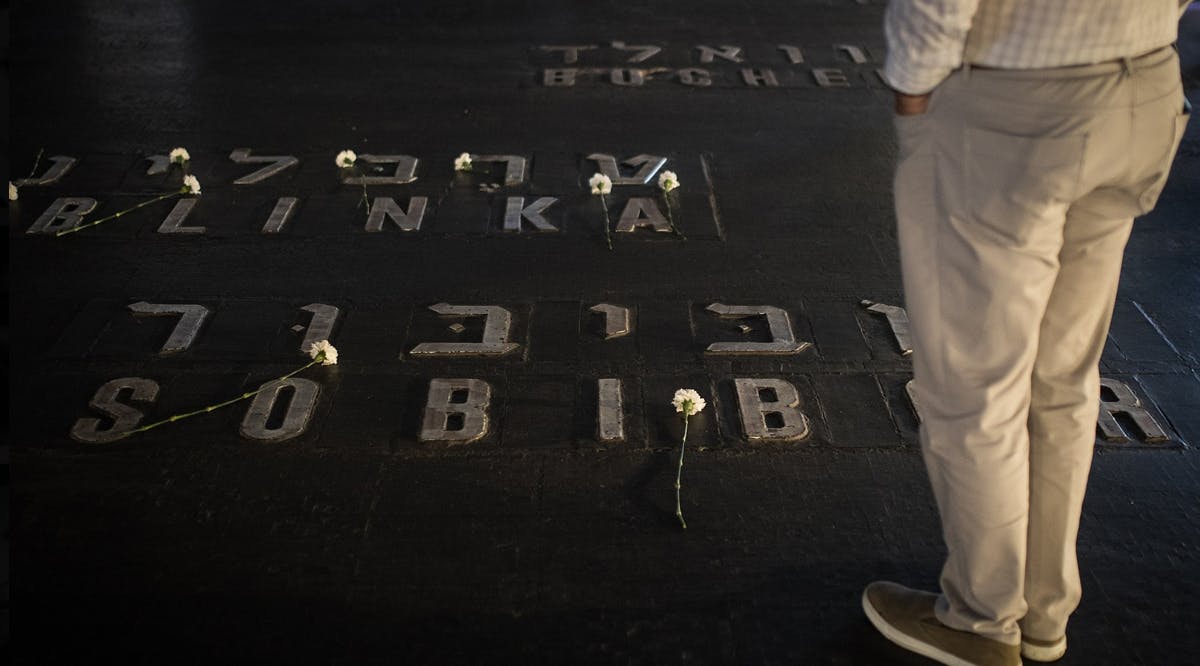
358	544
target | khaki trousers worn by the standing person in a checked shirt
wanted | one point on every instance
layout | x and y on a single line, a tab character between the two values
1016	194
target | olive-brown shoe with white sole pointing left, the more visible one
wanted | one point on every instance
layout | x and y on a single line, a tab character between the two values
907	619
